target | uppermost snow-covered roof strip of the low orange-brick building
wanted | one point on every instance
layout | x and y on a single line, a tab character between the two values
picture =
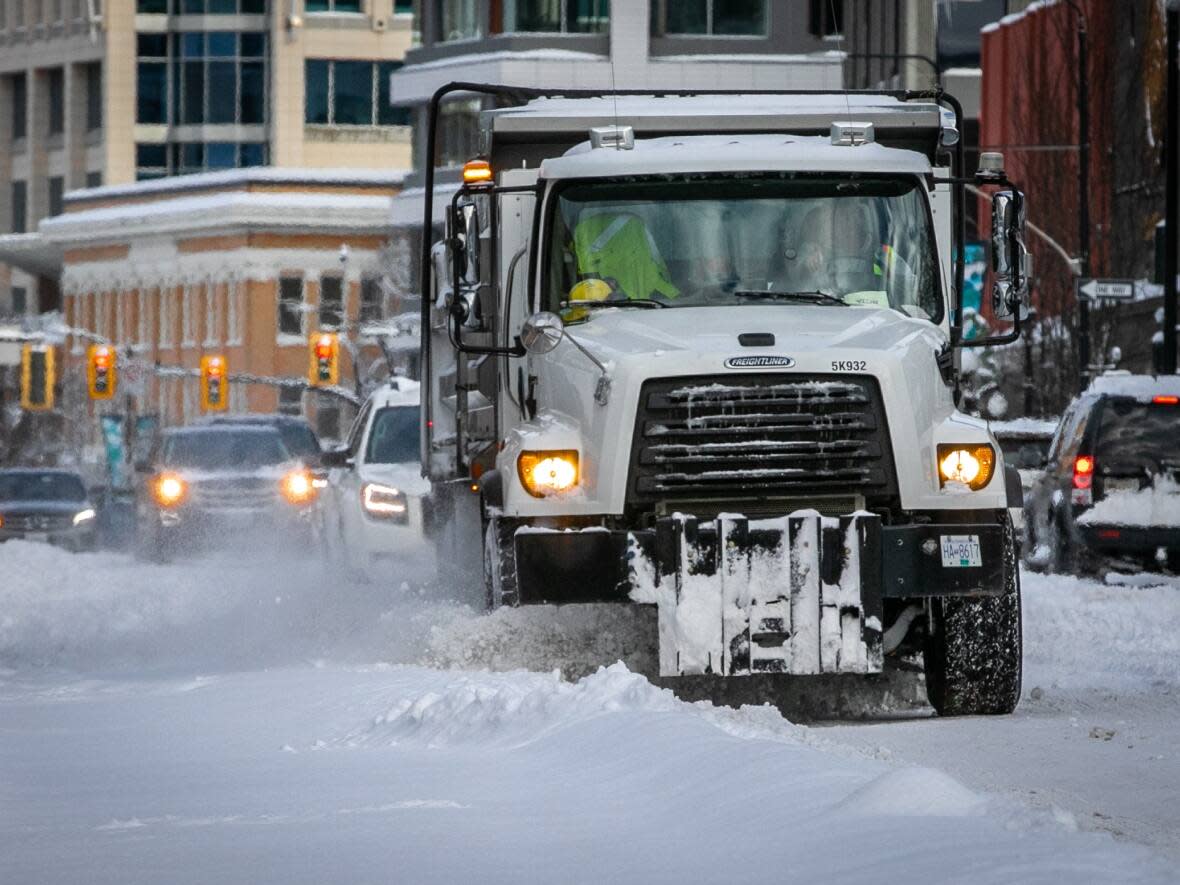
238	178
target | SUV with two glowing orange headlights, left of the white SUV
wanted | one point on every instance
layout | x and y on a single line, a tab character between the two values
217	484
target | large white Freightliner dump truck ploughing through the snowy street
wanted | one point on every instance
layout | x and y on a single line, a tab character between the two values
700	352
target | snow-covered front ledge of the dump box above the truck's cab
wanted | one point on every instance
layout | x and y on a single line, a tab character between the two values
711	114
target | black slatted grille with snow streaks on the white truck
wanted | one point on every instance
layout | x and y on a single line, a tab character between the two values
759	436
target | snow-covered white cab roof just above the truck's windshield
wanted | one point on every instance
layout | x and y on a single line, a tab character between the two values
733	154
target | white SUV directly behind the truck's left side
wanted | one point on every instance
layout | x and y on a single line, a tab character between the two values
376	482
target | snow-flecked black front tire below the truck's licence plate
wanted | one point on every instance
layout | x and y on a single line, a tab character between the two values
974	648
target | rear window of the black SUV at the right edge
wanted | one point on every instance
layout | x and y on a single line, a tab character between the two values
1138	435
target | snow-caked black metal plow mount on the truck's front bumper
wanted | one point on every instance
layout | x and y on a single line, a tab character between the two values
798	595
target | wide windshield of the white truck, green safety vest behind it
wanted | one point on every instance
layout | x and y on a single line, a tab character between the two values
725	241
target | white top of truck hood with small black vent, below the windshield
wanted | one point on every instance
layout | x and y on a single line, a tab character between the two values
797	329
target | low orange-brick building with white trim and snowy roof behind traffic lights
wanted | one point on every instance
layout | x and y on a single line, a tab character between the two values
246	264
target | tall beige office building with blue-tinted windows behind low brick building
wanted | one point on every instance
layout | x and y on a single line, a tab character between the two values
101	93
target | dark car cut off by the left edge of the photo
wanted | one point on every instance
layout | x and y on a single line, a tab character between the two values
44	504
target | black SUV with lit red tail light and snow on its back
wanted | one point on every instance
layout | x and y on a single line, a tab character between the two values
1111	490
